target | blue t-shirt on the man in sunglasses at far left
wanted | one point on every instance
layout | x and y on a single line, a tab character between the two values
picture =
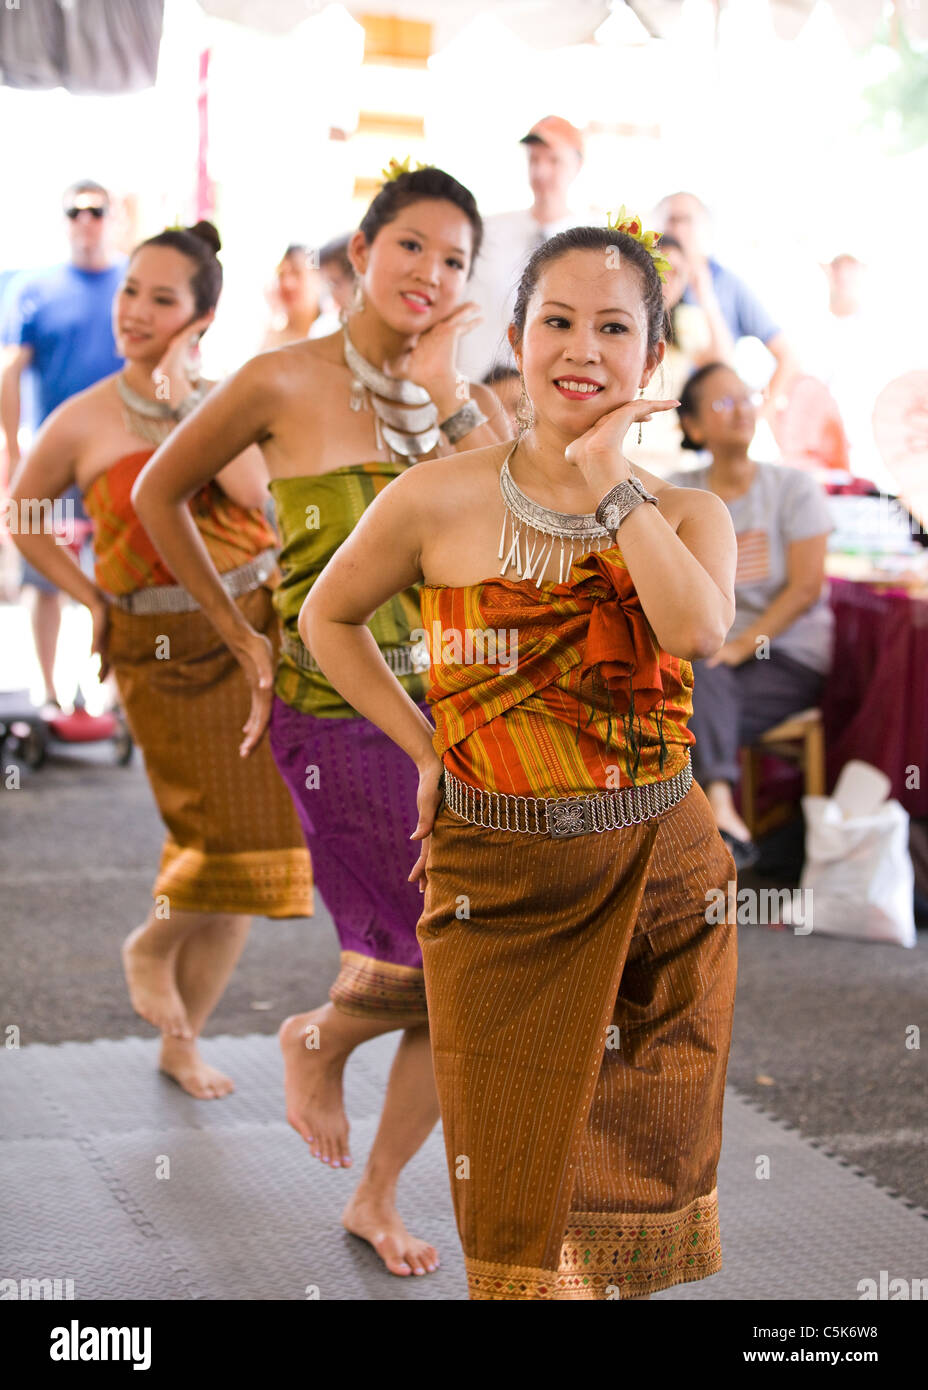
65	315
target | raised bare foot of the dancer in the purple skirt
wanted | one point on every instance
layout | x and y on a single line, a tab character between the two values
315	1057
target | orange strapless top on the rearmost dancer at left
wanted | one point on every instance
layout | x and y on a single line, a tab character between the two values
126	559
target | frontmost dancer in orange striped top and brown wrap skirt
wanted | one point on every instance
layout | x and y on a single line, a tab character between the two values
580	1003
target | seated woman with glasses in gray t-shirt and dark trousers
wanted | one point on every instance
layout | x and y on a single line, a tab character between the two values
780	648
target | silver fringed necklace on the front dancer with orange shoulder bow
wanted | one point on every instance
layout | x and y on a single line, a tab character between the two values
523	516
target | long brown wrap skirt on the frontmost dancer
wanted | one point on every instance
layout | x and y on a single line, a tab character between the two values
581	1013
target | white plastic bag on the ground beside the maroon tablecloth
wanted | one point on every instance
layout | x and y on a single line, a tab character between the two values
861	872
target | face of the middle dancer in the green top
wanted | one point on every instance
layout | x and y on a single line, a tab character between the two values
415	272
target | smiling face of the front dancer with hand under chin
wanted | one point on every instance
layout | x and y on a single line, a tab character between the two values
584	347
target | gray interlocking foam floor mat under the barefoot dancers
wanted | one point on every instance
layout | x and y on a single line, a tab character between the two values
247	1214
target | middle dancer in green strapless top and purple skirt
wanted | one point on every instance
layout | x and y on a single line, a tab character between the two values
337	420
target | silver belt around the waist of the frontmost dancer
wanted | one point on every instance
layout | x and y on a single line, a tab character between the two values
562	817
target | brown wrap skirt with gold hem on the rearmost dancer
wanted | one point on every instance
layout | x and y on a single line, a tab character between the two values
234	843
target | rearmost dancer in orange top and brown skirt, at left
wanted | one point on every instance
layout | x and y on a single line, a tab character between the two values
234	846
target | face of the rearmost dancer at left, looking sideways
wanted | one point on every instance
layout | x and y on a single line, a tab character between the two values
154	304
